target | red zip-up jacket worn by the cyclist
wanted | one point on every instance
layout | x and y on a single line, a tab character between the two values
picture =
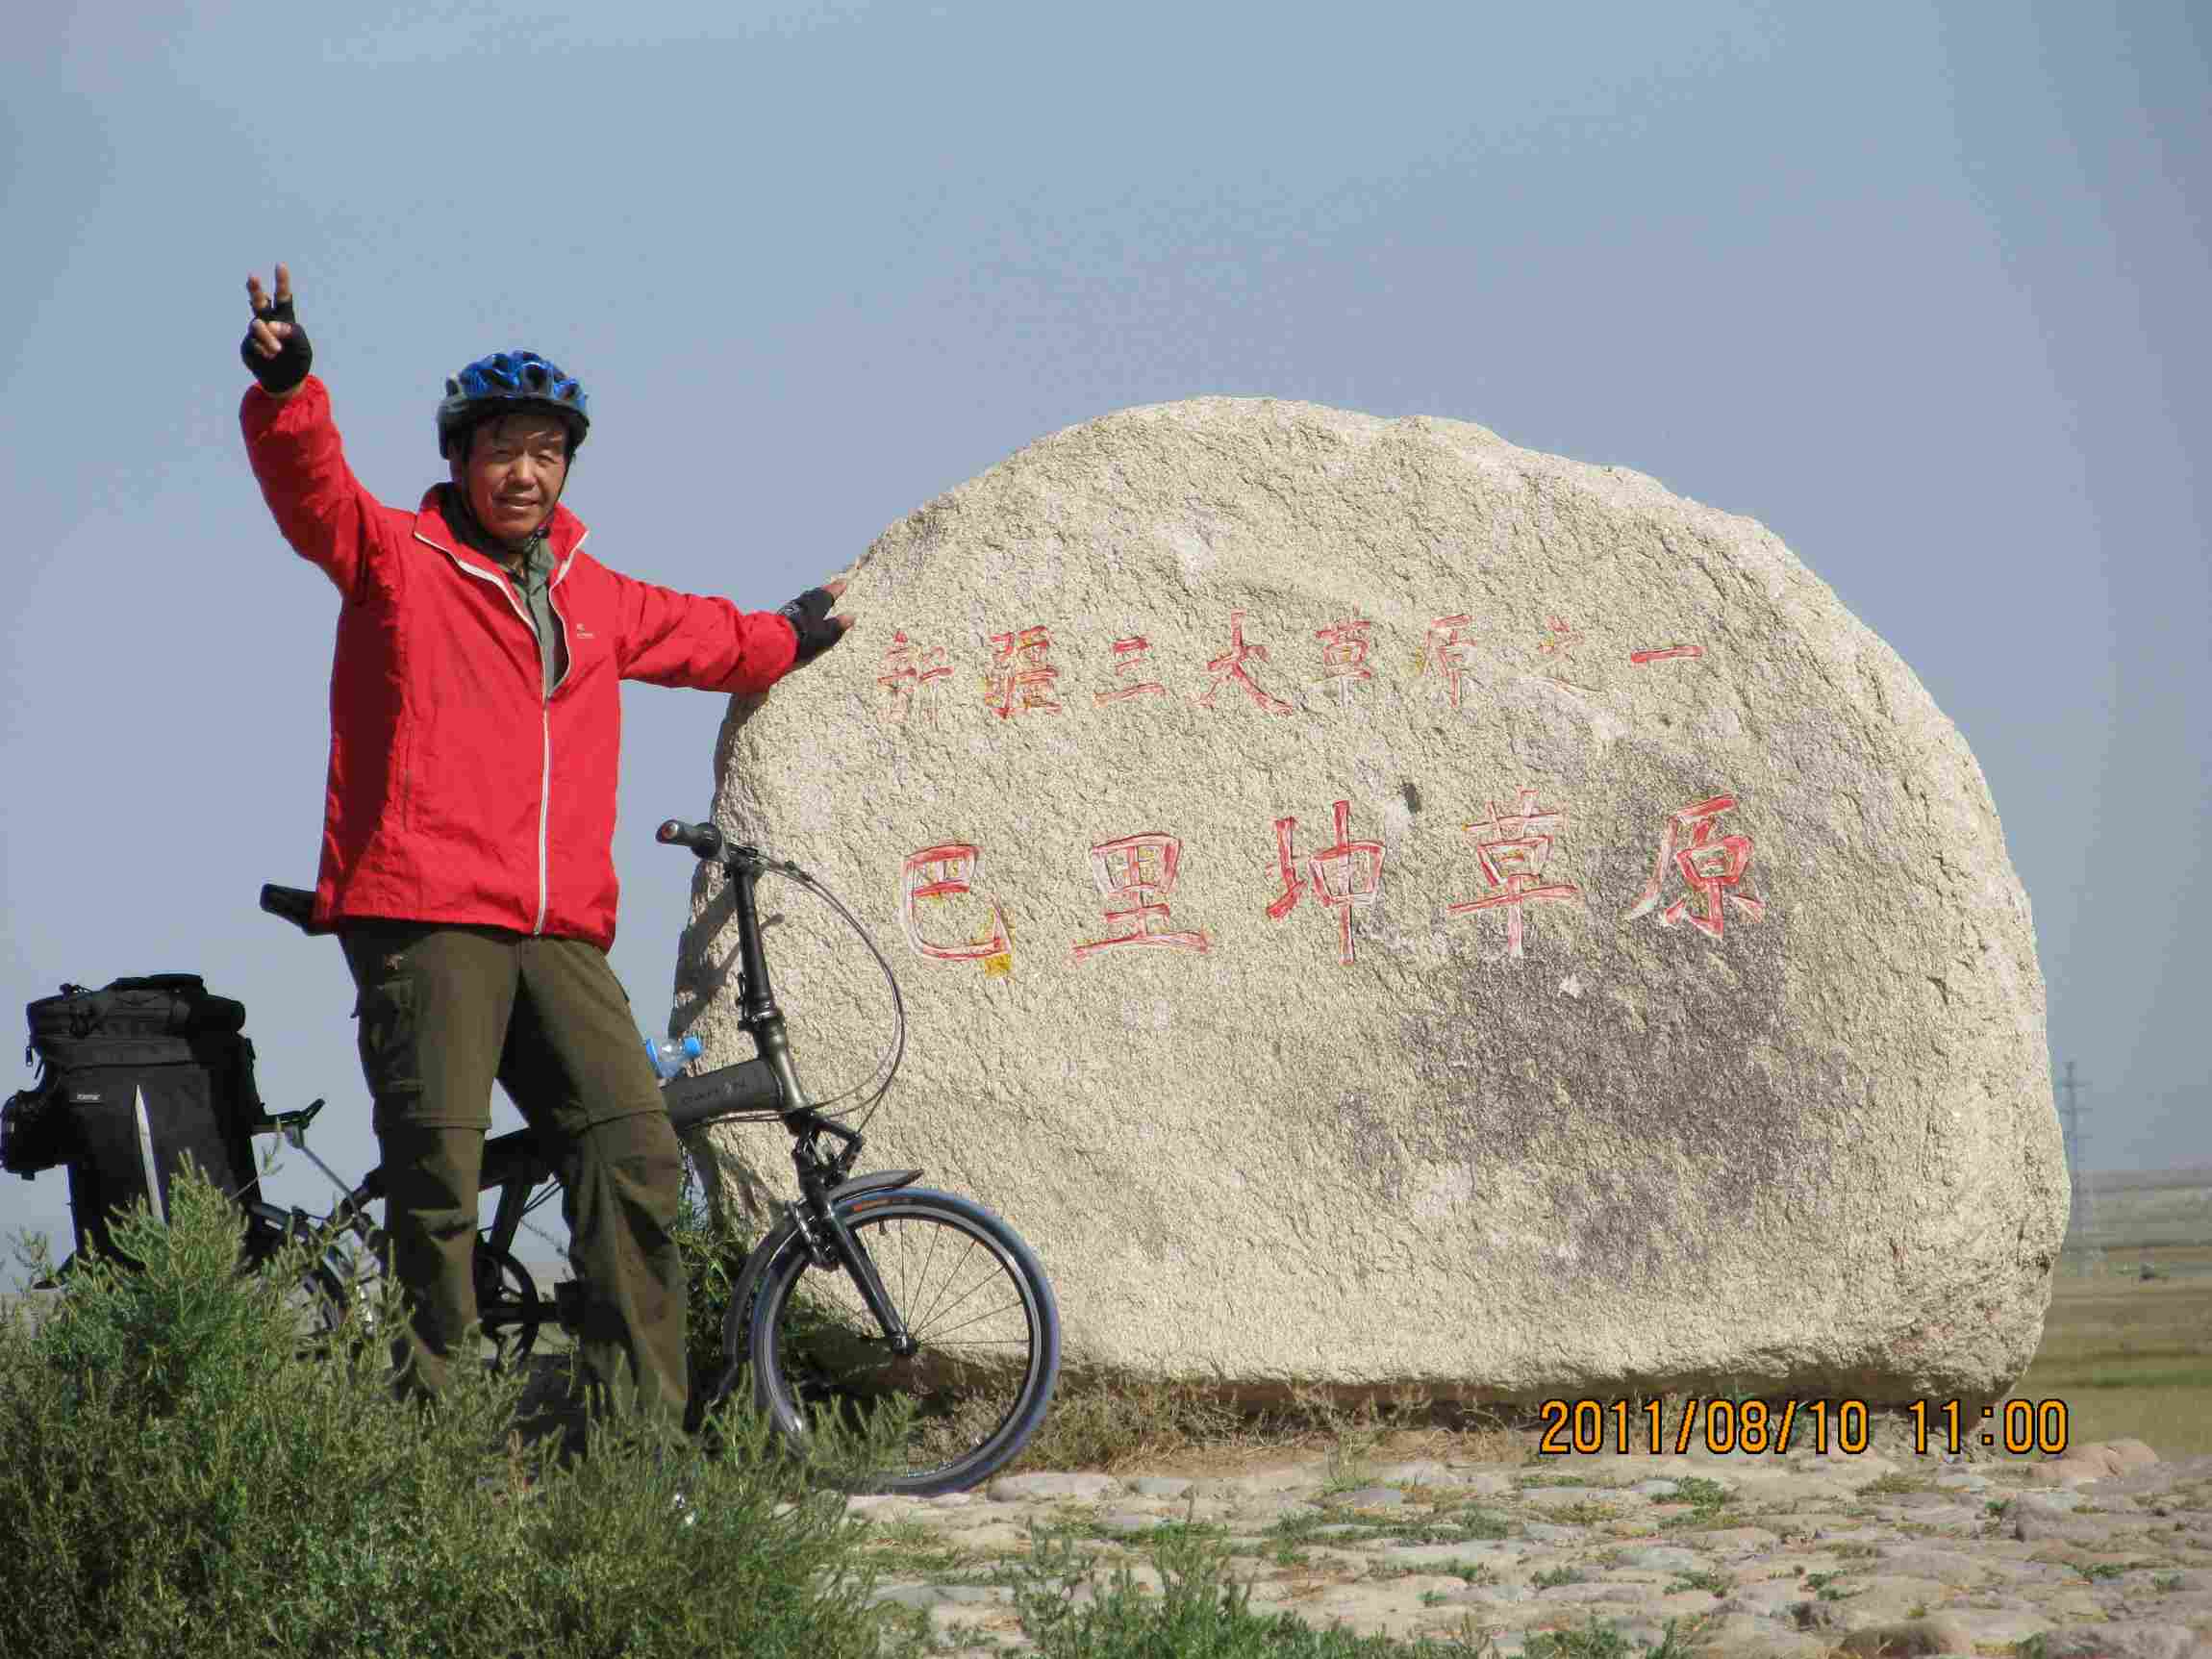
459	789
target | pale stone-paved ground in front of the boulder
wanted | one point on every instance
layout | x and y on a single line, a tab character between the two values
1875	1589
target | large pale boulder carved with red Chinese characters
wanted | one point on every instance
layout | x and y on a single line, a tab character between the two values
1388	908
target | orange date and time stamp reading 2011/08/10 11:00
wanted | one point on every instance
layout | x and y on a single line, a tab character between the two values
1592	1428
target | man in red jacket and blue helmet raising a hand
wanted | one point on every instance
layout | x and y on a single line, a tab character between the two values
468	828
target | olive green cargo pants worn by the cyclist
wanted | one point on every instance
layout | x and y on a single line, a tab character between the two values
444	1014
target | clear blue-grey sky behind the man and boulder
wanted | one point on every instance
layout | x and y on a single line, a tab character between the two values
1917	286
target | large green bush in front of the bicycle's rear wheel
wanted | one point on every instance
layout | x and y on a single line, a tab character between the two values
182	1474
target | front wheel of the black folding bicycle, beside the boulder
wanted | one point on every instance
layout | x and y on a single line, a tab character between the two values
979	1308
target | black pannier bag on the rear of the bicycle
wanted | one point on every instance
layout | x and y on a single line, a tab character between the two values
136	1078
